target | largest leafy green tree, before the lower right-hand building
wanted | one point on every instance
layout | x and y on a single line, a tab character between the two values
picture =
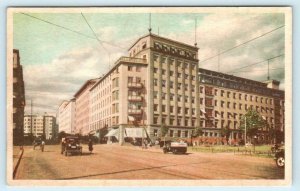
254	122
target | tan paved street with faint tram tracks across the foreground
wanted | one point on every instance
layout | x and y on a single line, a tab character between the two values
115	162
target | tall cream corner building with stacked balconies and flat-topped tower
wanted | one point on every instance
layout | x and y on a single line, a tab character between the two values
158	84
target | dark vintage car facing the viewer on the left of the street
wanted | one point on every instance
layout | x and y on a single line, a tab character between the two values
72	145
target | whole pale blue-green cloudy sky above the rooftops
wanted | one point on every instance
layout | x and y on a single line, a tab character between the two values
56	61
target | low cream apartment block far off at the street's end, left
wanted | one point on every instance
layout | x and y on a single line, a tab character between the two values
39	126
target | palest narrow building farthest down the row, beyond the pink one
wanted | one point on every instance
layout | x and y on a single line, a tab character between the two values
66	116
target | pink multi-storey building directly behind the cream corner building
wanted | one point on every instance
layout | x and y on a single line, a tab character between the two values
82	107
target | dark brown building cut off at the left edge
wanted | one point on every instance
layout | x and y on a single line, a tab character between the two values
18	100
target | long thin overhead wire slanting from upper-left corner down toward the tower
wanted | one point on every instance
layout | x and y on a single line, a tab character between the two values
71	30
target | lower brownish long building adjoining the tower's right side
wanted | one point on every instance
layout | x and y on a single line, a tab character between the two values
224	99
